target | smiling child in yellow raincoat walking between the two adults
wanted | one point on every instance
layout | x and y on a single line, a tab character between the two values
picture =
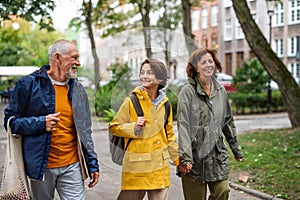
146	167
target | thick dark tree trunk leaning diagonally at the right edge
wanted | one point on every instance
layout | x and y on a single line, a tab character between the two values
290	90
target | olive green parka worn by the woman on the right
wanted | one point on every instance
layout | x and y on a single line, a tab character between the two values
204	122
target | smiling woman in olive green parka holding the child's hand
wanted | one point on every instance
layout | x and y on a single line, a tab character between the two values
204	122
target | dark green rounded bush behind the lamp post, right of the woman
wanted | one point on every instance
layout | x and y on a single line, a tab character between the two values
251	97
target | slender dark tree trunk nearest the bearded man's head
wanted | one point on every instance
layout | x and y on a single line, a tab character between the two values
93	46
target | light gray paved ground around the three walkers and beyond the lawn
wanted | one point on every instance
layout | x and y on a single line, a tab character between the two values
109	183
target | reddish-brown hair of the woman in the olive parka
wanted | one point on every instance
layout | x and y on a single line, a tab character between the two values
191	68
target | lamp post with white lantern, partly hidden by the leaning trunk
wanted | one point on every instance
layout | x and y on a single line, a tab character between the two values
270	7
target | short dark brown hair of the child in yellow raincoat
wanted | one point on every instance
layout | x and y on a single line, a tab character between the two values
159	69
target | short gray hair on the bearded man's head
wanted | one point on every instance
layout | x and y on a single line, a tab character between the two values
60	46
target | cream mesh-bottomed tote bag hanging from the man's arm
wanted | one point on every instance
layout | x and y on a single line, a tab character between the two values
14	184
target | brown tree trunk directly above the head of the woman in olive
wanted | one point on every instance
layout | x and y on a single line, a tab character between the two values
187	27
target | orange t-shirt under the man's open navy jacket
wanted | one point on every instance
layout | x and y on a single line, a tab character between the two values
63	148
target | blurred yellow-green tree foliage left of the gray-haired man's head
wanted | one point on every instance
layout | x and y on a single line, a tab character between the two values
24	46
